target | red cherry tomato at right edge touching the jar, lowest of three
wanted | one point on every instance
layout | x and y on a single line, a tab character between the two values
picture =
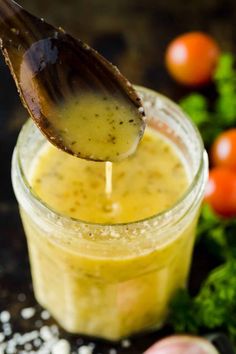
221	191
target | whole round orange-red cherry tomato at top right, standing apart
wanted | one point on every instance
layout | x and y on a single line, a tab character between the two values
191	58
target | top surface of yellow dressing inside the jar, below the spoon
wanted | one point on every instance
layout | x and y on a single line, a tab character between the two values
145	184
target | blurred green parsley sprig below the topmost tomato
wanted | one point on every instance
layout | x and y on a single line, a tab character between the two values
212	120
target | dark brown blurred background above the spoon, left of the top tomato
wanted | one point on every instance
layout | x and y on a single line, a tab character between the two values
133	34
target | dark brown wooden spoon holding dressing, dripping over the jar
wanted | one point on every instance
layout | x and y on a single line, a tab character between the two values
77	98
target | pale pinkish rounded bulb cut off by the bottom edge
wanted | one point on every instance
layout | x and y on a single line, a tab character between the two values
182	344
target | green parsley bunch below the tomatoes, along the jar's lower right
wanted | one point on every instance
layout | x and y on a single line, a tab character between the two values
215	304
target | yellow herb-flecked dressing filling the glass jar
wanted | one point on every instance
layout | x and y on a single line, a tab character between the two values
126	290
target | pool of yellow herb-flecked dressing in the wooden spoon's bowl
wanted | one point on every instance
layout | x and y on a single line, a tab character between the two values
101	128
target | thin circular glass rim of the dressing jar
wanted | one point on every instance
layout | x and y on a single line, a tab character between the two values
175	207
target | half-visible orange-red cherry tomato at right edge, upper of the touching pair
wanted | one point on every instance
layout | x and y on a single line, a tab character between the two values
223	151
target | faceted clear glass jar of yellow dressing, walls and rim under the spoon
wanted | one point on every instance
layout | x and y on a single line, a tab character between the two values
87	290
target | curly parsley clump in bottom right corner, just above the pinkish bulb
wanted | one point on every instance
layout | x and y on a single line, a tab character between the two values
213	308
